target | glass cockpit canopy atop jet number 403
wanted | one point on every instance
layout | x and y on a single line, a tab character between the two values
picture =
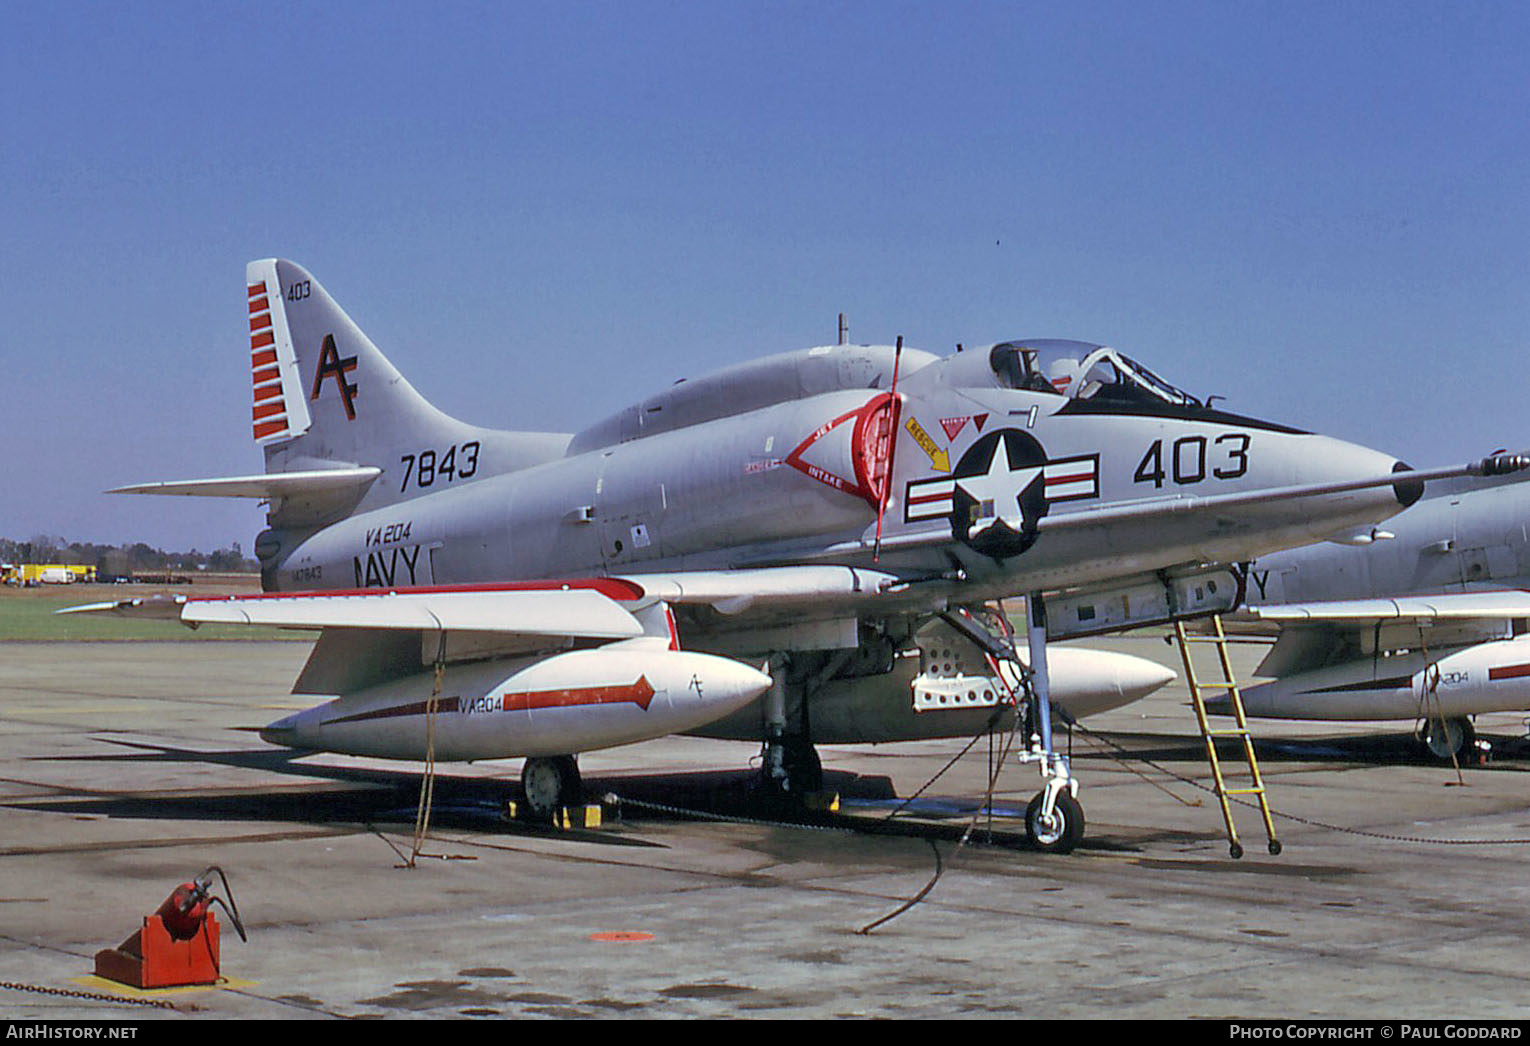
1081	371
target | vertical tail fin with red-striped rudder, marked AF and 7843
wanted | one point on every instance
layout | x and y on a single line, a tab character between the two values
325	397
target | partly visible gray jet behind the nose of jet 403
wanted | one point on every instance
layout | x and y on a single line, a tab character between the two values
1424	620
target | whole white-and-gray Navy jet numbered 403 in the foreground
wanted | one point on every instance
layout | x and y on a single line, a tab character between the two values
804	548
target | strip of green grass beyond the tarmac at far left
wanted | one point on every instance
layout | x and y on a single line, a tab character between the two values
28	616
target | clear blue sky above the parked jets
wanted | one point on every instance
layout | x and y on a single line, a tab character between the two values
544	212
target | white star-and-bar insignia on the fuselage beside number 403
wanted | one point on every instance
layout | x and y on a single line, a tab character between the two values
1000	492
